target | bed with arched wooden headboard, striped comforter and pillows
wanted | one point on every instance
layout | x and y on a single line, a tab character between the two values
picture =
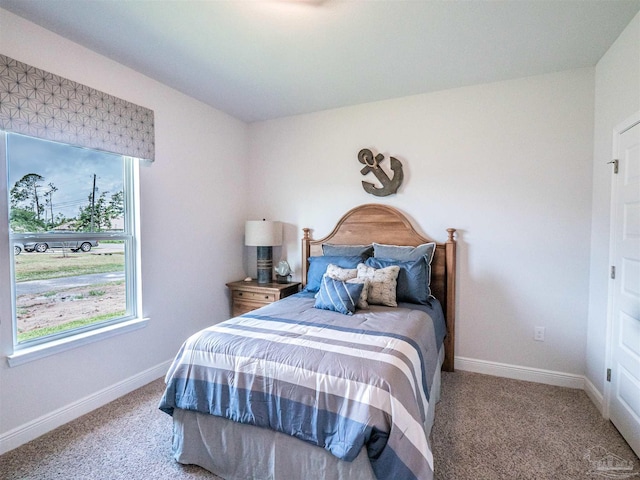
304	389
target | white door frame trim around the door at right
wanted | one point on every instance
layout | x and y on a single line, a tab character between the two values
618	130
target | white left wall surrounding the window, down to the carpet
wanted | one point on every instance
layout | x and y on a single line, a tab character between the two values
190	245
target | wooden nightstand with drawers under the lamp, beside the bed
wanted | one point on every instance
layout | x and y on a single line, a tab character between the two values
247	296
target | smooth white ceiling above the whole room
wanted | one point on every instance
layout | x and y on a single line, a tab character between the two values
260	59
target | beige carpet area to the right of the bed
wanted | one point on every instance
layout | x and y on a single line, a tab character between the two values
496	428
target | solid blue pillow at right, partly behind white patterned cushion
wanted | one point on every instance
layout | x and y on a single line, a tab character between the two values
413	282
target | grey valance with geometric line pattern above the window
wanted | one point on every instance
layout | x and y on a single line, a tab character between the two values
43	105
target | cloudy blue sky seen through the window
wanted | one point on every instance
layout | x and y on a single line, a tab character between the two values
70	169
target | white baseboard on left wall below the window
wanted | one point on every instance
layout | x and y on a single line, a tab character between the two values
35	428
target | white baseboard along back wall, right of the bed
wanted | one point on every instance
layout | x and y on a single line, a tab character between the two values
529	374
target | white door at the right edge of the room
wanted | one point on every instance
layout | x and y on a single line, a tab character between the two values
624	393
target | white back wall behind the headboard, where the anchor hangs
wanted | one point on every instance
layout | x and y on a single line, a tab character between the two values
508	164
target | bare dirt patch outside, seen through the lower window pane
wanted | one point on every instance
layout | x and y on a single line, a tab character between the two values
41	310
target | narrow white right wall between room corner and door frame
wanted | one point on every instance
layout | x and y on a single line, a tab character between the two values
617	97
